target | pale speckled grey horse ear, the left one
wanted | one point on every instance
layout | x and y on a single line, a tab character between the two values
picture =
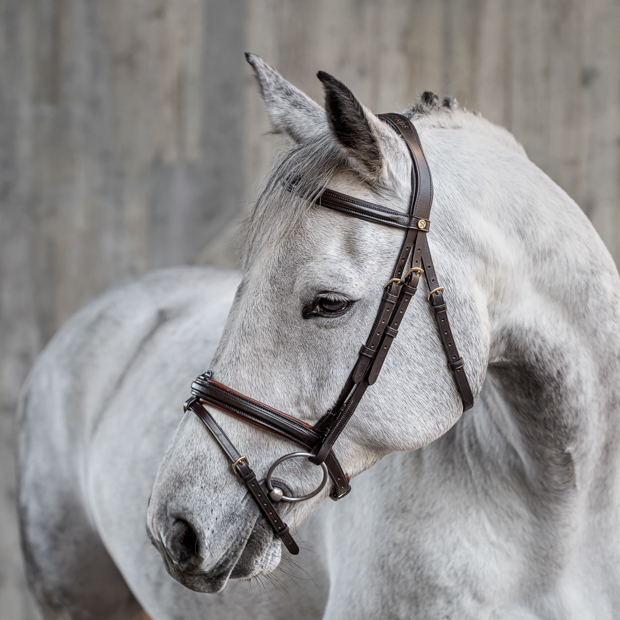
292	112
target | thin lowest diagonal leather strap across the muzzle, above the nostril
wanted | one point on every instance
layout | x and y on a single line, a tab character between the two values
242	469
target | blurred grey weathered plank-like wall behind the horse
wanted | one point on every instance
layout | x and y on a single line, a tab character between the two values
132	135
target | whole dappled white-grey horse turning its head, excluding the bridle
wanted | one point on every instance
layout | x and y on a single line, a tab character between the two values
508	511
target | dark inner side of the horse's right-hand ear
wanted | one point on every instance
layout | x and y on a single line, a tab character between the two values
355	127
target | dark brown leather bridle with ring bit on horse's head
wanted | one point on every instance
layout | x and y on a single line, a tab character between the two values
413	260
